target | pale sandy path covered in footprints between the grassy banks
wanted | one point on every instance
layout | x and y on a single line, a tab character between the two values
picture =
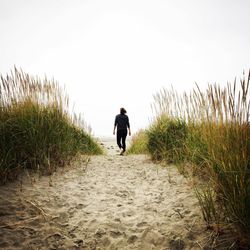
106	202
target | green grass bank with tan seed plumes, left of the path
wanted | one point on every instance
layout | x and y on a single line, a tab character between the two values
36	129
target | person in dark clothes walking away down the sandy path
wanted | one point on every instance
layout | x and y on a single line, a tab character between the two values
123	127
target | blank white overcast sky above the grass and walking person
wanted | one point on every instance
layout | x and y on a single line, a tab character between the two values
117	53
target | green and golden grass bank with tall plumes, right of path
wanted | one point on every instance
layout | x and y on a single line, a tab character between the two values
209	131
